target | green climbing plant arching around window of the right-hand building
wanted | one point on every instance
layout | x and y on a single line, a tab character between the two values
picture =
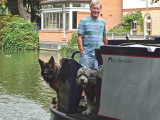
129	18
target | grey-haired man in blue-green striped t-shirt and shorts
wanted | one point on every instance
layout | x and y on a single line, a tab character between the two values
91	33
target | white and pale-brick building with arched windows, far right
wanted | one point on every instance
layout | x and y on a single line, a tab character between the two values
150	12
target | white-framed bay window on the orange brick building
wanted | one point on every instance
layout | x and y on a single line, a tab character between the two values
54	20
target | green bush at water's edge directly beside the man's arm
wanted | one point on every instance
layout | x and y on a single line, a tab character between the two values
71	46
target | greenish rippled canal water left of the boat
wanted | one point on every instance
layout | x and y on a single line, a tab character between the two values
24	95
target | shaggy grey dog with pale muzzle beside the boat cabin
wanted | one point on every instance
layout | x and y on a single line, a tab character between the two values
86	77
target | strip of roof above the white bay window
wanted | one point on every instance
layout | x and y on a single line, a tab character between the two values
63	1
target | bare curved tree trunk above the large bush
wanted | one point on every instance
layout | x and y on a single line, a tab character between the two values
22	11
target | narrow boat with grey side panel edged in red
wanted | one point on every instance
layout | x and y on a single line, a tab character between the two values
128	88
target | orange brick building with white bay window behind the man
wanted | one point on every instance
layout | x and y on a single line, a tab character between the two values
59	18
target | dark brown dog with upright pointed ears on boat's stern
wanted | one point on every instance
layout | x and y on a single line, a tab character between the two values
50	72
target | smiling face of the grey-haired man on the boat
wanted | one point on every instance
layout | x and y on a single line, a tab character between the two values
95	11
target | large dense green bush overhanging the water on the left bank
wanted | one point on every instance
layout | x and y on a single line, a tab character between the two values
19	34
